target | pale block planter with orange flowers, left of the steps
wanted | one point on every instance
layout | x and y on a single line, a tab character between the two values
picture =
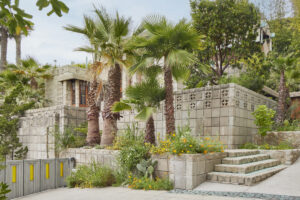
188	170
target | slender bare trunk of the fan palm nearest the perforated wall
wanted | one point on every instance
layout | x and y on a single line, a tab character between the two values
169	106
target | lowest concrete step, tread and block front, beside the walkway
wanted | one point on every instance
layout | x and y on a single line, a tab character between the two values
244	179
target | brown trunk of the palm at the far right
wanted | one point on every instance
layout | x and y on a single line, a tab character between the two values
282	103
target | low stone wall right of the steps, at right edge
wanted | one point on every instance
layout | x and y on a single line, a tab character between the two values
287	157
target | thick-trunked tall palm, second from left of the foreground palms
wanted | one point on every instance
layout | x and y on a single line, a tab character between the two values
111	35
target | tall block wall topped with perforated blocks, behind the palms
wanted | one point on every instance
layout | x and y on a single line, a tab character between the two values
222	112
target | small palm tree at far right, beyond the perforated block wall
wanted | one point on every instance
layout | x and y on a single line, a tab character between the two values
283	66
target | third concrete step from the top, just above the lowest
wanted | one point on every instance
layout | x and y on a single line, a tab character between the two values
248	167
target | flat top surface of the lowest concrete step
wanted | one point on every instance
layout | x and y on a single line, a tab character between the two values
252	174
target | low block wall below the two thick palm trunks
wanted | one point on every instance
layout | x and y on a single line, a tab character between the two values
87	156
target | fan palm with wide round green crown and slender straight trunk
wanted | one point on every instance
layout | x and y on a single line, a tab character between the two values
168	44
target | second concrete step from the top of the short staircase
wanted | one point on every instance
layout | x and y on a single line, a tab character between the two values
245	159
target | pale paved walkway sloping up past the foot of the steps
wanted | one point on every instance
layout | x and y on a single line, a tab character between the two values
286	182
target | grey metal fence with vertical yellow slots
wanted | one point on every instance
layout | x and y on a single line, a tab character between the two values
26	177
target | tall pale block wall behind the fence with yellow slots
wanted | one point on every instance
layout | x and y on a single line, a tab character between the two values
38	126
